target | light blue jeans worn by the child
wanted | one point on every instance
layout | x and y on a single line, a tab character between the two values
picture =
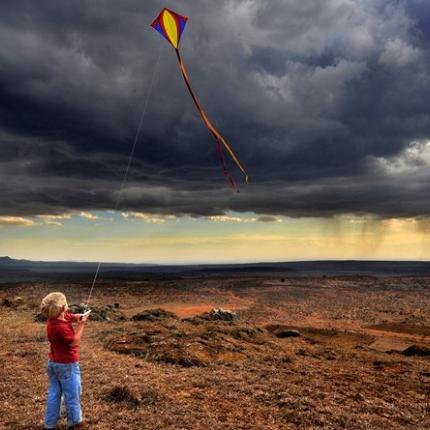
64	380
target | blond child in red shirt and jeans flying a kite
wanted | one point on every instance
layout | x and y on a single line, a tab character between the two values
63	367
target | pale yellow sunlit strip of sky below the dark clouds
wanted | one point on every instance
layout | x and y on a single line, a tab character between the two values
134	237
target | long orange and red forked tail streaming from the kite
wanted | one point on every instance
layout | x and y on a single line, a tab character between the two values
219	138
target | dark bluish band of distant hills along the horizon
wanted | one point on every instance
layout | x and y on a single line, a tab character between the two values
303	268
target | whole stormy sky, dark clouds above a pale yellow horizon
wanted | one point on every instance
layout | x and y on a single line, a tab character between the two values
325	102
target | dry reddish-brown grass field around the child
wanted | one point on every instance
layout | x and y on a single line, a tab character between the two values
345	370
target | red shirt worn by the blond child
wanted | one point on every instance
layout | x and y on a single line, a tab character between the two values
61	336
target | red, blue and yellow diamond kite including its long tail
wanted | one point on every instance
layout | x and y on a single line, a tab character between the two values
171	26
